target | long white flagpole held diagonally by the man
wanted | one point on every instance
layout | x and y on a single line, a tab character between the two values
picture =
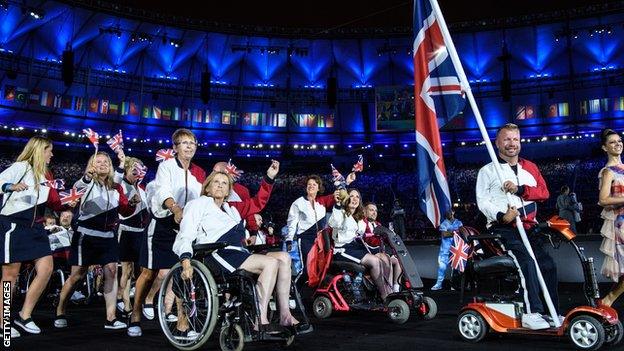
488	144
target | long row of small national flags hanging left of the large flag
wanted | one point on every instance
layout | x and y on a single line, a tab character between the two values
110	107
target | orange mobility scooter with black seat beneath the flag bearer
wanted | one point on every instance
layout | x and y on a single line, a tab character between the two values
493	277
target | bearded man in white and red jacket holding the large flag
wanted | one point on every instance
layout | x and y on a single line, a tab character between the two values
526	185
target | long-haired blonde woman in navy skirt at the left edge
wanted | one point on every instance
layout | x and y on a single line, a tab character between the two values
25	196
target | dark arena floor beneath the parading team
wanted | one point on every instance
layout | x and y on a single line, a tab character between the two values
357	331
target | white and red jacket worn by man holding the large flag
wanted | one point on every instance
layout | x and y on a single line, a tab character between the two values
492	201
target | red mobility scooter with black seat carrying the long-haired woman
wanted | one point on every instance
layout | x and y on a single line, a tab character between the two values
339	288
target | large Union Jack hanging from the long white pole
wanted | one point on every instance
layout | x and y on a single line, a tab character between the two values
438	98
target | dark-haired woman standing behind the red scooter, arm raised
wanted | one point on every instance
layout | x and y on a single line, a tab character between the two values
307	214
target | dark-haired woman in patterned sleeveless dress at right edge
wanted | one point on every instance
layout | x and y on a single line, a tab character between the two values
611	198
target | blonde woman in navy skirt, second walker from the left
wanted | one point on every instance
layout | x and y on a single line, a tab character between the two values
94	242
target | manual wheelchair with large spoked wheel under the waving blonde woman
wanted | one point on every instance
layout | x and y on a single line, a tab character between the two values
223	305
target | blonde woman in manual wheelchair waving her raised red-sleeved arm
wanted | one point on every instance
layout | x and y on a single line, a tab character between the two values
211	219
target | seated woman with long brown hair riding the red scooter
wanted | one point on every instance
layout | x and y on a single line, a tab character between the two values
347	223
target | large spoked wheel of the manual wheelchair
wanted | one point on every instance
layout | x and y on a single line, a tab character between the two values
188	305
